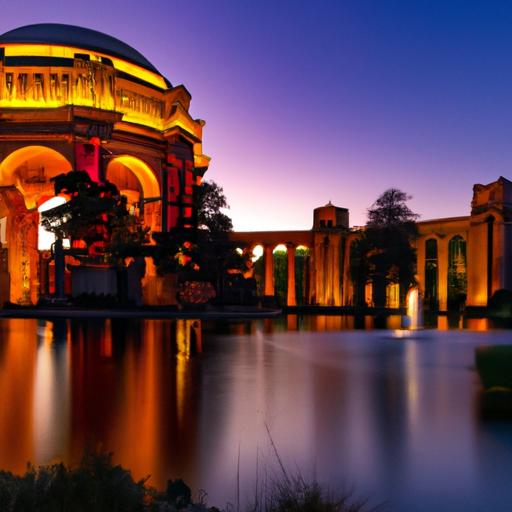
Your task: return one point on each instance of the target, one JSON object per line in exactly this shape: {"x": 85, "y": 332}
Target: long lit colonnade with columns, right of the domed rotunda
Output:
{"x": 459, "y": 260}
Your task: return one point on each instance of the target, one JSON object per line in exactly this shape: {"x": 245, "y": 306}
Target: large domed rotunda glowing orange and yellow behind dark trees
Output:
{"x": 74, "y": 98}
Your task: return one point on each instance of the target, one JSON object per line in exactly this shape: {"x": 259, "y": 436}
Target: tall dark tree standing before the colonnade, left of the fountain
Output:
{"x": 384, "y": 253}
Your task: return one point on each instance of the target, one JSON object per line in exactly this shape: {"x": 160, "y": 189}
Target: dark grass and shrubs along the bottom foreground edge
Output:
{"x": 97, "y": 485}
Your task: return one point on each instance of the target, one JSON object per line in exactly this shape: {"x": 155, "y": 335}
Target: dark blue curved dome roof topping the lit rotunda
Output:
{"x": 70, "y": 35}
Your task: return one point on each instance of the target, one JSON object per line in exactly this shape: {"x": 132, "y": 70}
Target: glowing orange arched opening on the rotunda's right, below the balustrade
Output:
{"x": 137, "y": 181}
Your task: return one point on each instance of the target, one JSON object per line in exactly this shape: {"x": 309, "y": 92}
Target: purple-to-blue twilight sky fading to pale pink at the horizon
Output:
{"x": 307, "y": 102}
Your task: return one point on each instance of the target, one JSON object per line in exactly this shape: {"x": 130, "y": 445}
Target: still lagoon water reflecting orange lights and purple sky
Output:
{"x": 396, "y": 417}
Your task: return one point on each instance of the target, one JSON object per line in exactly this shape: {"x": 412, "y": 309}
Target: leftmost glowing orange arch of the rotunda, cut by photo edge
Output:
{"x": 30, "y": 168}
